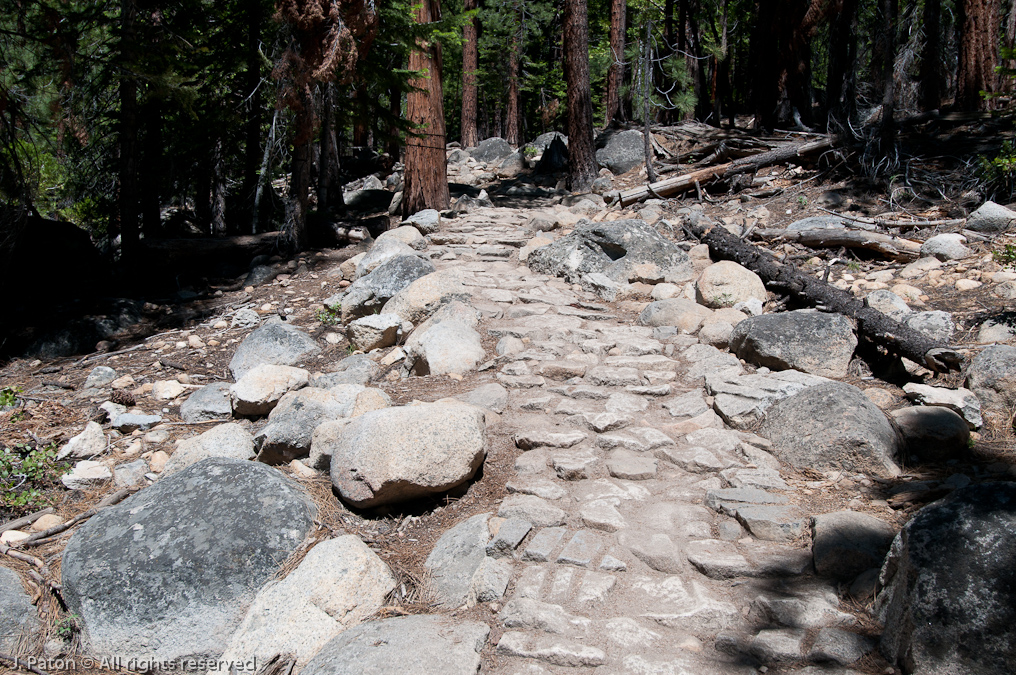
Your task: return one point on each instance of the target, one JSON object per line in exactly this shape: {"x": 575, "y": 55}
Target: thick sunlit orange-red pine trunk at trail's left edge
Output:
{"x": 426, "y": 168}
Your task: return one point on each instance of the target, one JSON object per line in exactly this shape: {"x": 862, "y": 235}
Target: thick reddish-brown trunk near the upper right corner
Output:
{"x": 978, "y": 53}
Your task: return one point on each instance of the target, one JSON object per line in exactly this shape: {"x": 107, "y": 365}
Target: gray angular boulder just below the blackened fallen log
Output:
{"x": 811, "y": 342}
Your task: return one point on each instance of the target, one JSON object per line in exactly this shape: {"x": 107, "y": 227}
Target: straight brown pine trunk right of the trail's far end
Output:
{"x": 582, "y": 161}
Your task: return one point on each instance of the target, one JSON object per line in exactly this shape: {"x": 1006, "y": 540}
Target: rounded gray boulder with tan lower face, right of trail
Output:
{"x": 833, "y": 427}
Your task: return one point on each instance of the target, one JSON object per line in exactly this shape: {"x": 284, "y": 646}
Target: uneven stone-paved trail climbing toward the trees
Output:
{"x": 629, "y": 553}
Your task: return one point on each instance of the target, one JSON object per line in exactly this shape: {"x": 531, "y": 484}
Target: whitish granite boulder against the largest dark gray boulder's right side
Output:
{"x": 340, "y": 584}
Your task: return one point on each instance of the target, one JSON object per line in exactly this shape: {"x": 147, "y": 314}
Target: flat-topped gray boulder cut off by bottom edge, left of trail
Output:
{"x": 422, "y": 645}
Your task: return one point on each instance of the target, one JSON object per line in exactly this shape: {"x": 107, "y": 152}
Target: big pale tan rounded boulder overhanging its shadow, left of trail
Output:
{"x": 400, "y": 454}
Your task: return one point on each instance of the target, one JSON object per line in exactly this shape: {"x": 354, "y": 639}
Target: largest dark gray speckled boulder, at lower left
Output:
{"x": 170, "y": 573}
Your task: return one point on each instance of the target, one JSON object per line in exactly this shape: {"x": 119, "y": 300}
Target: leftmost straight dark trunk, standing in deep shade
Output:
{"x": 128, "y": 198}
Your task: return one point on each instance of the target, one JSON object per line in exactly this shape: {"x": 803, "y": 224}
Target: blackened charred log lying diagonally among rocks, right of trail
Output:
{"x": 873, "y": 325}
